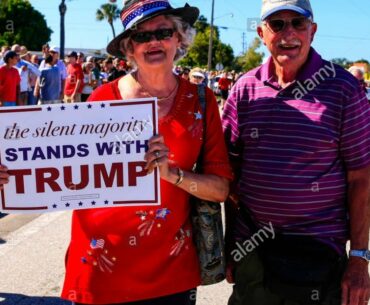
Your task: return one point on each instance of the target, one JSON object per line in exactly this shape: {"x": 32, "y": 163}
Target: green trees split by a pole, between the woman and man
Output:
{"x": 198, "y": 52}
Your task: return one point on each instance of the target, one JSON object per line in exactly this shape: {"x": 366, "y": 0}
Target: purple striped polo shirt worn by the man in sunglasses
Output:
{"x": 295, "y": 145}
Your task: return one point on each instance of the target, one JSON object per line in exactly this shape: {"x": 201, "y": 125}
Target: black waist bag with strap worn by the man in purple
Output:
{"x": 298, "y": 268}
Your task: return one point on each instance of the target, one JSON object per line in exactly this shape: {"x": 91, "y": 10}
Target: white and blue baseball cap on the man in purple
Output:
{"x": 270, "y": 7}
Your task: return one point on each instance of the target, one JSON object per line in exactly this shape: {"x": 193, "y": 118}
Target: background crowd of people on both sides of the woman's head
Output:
{"x": 49, "y": 79}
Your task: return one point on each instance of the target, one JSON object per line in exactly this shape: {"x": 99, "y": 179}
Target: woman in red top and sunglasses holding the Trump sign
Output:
{"x": 145, "y": 255}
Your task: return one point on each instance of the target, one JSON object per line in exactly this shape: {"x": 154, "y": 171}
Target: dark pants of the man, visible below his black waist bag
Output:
{"x": 249, "y": 288}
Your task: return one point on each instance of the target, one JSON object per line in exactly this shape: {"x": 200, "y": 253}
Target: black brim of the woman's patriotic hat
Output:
{"x": 187, "y": 13}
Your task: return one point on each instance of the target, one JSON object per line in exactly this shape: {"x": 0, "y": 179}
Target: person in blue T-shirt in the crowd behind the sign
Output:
{"x": 48, "y": 83}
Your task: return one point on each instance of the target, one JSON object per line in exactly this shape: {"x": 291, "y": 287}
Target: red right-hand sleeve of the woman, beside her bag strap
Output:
{"x": 215, "y": 159}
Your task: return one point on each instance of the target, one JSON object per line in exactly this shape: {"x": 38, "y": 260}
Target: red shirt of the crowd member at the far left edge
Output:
{"x": 9, "y": 80}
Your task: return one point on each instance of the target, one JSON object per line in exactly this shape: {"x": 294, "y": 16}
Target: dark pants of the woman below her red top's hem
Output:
{"x": 182, "y": 298}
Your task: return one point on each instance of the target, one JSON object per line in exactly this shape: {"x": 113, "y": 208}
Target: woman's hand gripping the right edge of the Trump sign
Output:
{"x": 157, "y": 156}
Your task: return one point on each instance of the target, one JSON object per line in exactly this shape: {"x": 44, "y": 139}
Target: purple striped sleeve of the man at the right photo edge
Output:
{"x": 355, "y": 130}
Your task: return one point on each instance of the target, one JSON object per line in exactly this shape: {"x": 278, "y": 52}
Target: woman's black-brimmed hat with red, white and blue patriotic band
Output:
{"x": 138, "y": 11}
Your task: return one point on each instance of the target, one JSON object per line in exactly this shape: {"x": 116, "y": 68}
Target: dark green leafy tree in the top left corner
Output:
{"x": 20, "y": 23}
